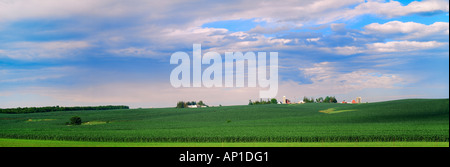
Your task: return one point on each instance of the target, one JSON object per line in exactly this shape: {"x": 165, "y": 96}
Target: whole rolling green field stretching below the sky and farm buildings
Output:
{"x": 411, "y": 122}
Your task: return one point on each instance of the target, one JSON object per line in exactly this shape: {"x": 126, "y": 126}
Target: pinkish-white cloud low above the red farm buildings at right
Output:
{"x": 327, "y": 78}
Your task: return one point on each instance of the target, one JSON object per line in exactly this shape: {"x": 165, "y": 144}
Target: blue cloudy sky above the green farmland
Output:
{"x": 112, "y": 52}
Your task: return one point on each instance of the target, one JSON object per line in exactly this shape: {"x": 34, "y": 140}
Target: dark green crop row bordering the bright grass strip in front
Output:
{"x": 387, "y": 138}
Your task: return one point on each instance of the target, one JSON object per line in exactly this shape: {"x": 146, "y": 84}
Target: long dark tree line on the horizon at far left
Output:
{"x": 58, "y": 108}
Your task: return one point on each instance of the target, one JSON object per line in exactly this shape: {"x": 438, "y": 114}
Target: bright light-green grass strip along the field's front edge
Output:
{"x": 52, "y": 143}
